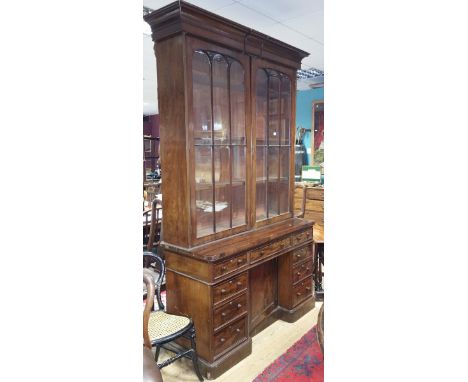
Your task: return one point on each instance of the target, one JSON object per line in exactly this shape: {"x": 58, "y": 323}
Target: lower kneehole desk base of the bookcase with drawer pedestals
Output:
{"x": 231, "y": 299}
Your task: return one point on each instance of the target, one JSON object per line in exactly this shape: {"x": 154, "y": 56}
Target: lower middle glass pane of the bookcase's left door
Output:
{"x": 223, "y": 188}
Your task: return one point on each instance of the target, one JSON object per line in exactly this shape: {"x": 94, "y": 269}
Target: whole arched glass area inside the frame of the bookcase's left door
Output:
{"x": 220, "y": 164}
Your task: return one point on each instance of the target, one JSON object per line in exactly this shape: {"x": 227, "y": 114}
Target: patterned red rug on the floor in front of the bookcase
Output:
{"x": 302, "y": 362}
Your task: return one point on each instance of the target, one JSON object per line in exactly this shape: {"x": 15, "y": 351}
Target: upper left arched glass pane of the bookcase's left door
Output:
{"x": 201, "y": 98}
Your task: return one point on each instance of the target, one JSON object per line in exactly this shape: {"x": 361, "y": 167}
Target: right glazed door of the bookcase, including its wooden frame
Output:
{"x": 273, "y": 136}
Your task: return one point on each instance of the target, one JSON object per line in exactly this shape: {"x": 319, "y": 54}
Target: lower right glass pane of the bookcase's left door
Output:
{"x": 238, "y": 186}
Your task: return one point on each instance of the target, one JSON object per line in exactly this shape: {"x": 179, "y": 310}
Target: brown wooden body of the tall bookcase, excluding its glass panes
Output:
{"x": 232, "y": 282}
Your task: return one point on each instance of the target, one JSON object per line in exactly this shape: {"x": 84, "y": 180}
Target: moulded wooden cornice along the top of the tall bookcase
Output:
{"x": 182, "y": 17}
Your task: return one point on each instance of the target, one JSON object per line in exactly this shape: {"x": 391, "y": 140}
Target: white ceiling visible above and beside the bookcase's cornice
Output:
{"x": 298, "y": 23}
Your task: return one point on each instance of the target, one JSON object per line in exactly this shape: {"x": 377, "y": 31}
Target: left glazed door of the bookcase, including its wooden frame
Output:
{"x": 218, "y": 89}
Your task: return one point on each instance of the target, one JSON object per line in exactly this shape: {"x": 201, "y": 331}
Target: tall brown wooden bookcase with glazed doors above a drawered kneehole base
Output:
{"x": 236, "y": 257}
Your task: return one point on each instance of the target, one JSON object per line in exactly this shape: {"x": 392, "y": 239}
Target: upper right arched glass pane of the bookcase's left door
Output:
{"x": 237, "y": 103}
